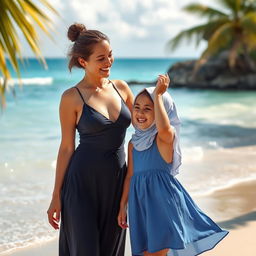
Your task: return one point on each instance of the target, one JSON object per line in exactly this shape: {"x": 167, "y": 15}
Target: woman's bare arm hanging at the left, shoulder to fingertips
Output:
{"x": 67, "y": 146}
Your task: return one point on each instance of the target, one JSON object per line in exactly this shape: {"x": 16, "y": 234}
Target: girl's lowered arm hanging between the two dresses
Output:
{"x": 122, "y": 222}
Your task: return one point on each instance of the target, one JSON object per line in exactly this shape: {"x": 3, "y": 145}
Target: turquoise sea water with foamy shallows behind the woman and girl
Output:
{"x": 218, "y": 132}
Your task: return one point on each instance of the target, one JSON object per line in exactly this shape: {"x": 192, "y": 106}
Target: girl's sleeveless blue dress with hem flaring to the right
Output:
{"x": 161, "y": 212}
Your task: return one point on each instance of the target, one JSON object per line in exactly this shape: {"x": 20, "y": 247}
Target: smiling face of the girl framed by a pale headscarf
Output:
{"x": 143, "y": 112}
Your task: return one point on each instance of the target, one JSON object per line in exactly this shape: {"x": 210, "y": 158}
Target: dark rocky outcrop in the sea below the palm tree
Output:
{"x": 214, "y": 74}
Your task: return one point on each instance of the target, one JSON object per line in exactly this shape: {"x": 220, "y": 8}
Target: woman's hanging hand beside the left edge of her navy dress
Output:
{"x": 54, "y": 212}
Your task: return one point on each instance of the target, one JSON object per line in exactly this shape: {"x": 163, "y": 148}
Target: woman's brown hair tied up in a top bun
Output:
{"x": 84, "y": 41}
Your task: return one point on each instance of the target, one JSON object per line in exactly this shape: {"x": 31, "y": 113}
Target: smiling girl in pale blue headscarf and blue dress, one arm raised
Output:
{"x": 162, "y": 216}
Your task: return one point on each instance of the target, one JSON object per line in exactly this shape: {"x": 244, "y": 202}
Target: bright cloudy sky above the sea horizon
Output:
{"x": 136, "y": 28}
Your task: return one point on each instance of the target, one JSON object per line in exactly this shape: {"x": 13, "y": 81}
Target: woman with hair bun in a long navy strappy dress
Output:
{"x": 89, "y": 179}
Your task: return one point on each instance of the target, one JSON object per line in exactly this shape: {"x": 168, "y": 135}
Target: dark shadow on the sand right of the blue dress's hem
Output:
{"x": 238, "y": 221}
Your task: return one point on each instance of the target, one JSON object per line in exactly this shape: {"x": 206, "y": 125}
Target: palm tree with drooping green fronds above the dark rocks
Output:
{"x": 231, "y": 28}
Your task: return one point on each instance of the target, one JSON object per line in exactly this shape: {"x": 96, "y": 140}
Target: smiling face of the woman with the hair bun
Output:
{"x": 100, "y": 61}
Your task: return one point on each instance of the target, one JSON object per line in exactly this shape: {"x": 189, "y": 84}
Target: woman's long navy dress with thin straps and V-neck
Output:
{"x": 92, "y": 186}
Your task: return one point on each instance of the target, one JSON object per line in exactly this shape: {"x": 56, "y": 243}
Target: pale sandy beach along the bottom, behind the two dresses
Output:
{"x": 234, "y": 209}
